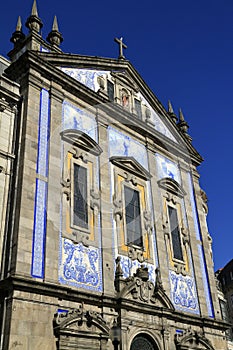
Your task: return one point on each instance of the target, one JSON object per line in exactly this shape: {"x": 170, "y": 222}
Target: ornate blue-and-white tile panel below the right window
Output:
{"x": 183, "y": 293}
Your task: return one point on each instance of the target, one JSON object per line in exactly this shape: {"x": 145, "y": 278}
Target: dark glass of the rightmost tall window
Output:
{"x": 175, "y": 233}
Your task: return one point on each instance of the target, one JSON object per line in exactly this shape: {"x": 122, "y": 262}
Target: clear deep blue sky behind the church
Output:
{"x": 183, "y": 50}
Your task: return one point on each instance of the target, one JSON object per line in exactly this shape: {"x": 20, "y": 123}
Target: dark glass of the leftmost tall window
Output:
{"x": 80, "y": 197}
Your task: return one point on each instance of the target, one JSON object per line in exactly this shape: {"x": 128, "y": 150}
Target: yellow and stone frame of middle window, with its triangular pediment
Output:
{"x": 127, "y": 171}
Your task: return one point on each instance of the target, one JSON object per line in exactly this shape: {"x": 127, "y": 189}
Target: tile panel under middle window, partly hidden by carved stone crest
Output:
{"x": 129, "y": 267}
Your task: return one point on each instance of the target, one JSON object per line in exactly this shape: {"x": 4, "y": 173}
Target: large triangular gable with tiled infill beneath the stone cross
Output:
{"x": 93, "y": 73}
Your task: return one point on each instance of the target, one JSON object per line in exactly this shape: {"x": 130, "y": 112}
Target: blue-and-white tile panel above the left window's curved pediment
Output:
{"x": 79, "y": 119}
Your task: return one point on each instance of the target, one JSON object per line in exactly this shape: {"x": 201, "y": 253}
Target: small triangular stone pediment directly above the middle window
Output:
{"x": 130, "y": 165}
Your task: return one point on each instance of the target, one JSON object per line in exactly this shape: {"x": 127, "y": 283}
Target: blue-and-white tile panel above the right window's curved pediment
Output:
{"x": 167, "y": 168}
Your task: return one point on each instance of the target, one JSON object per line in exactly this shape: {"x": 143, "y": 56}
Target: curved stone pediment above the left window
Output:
{"x": 81, "y": 140}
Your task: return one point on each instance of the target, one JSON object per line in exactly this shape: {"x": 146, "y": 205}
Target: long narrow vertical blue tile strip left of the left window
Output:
{"x": 39, "y": 231}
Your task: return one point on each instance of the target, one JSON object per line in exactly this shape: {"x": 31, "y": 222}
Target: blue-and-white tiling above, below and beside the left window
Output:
{"x": 80, "y": 266}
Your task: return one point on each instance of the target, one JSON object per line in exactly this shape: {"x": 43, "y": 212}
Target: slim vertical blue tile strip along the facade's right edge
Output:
{"x": 200, "y": 248}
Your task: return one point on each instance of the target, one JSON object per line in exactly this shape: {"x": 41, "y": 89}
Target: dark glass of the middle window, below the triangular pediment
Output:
{"x": 132, "y": 217}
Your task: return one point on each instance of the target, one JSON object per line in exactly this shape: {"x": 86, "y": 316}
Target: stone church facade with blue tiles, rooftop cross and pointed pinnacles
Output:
{"x": 104, "y": 242}
